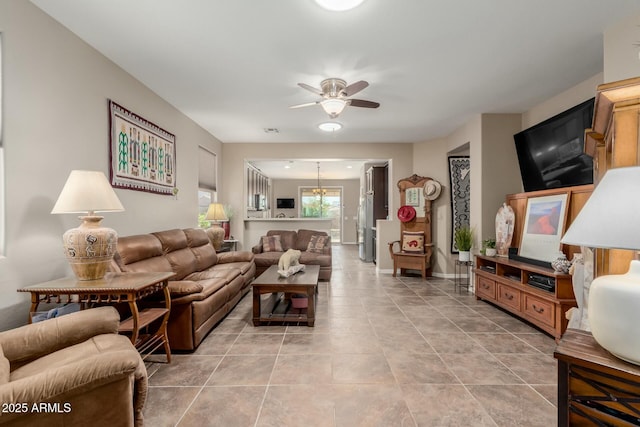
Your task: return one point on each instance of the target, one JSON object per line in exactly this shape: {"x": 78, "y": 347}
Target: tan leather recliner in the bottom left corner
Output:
{"x": 74, "y": 370}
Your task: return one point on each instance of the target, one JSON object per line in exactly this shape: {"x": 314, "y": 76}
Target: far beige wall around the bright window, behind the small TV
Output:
{"x": 350, "y": 200}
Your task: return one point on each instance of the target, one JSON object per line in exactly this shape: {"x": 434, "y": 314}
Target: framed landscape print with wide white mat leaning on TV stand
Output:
{"x": 543, "y": 227}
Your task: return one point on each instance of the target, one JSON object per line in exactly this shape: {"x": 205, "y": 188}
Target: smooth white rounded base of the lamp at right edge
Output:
{"x": 614, "y": 313}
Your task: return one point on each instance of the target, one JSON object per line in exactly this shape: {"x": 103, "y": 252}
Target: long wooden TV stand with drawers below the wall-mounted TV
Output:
{"x": 504, "y": 282}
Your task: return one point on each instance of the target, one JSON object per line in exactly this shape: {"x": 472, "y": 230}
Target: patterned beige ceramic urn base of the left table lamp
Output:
{"x": 90, "y": 248}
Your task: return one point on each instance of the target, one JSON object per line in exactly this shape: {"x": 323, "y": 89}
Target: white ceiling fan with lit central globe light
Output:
{"x": 335, "y": 93}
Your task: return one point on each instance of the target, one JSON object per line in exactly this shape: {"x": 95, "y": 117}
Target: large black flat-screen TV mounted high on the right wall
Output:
{"x": 551, "y": 154}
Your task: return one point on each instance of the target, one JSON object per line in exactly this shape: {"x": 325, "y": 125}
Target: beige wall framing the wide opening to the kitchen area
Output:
{"x": 399, "y": 156}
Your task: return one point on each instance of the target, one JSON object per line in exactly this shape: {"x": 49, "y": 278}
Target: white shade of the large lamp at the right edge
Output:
{"x": 609, "y": 219}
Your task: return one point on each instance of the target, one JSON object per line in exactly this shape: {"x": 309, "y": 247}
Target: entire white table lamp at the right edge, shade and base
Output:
{"x": 610, "y": 220}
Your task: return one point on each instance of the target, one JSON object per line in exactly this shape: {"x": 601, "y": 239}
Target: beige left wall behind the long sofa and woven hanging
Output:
{"x": 56, "y": 119}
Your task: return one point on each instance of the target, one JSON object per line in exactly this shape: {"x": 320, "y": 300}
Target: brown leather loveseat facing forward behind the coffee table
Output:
{"x": 315, "y": 247}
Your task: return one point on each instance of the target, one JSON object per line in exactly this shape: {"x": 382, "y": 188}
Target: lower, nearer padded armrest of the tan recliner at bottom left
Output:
{"x": 56, "y": 385}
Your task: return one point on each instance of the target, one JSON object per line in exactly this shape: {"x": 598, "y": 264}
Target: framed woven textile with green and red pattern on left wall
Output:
{"x": 142, "y": 154}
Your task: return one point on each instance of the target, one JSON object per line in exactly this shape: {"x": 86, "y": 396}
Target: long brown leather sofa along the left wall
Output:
{"x": 206, "y": 286}
